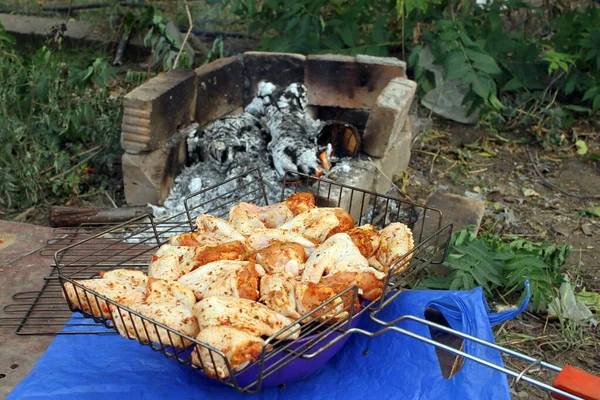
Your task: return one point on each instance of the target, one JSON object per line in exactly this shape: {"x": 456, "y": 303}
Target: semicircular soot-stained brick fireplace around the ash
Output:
{"x": 371, "y": 93}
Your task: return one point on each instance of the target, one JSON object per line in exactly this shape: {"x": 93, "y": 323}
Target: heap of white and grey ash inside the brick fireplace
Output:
{"x": 275, "y": 133}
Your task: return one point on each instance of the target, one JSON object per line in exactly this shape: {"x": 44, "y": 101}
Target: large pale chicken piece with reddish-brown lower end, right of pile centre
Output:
{"x": 338, "y": 263}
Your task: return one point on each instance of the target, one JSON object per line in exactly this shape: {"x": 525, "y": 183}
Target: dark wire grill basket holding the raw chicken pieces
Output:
{"x": 280, "y": 360}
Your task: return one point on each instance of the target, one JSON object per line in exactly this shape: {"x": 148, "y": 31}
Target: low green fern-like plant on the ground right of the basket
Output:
{"x": 489, "y": 262}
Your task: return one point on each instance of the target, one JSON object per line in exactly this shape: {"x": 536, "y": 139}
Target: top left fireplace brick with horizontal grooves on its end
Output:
{"x": 154, "y": 111}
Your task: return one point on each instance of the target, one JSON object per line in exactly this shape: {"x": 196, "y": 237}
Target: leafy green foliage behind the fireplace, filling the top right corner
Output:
{"x": 537, "y": 66}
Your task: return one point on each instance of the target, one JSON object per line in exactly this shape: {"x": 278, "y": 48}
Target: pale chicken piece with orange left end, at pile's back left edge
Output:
{"x": 211, "y": 231}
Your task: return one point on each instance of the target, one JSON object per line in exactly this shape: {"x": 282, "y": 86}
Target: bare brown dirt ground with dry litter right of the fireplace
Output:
{"x": 467, "y": 161}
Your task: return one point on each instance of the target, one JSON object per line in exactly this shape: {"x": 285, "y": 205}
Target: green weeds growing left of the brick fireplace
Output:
{"x": 59, "y": 127}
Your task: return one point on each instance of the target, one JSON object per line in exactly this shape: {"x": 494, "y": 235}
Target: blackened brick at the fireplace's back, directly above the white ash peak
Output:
{"x": 281, "y": 69}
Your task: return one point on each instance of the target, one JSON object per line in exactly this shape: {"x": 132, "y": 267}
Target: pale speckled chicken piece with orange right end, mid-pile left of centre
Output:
{"x": 225, "y": 278}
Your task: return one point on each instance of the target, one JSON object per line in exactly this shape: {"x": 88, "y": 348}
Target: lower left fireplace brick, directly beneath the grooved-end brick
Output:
{"x": 149, "y": 177}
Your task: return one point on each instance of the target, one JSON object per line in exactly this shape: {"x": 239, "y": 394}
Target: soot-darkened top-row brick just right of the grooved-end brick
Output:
{"x": 220, "y": 89}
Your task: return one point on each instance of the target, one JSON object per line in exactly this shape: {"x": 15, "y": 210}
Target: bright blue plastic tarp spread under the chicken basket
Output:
{"x": 396, "y": 367}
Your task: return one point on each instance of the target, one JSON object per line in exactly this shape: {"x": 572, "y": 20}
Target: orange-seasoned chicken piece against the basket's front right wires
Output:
{"x": 293, "y": 299}
